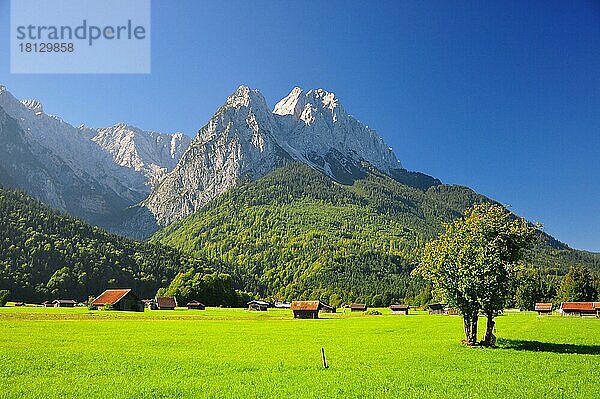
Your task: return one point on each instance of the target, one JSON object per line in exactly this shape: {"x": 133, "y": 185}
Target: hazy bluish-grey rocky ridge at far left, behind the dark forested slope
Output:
{"x": 87, "y": 172}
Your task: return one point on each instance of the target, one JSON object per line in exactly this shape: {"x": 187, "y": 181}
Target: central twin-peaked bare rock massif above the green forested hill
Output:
{"x": 245, "y": 140}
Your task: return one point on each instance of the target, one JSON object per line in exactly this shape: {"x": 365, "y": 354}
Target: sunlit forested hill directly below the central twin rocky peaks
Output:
{"x": 297, "y": 234}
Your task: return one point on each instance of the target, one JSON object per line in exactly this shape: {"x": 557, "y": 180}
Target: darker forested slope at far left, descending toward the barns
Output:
{"x": 46, "y": 255}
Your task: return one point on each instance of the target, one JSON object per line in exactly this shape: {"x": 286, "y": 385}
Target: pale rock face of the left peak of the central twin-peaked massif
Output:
{"x": 236, "y": 144}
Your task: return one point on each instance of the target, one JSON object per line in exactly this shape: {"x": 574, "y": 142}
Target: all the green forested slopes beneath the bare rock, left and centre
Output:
{"x": 293, "y": 234}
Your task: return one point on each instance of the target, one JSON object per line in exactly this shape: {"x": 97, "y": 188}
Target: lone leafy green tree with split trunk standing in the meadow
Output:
{"x": 471, "y": 262}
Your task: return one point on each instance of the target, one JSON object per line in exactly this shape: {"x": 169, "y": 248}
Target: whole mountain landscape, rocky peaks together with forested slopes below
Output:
{"x": 298, "y": 201}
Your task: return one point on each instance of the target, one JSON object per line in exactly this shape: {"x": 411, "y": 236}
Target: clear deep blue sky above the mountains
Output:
{"x": 502, "y": 97}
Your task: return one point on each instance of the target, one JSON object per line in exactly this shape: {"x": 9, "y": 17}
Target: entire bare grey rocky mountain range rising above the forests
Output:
{"x": 133, "y": 182}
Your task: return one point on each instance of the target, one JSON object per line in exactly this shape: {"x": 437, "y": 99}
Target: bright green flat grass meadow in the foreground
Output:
{"x": 232, "y": 353}
